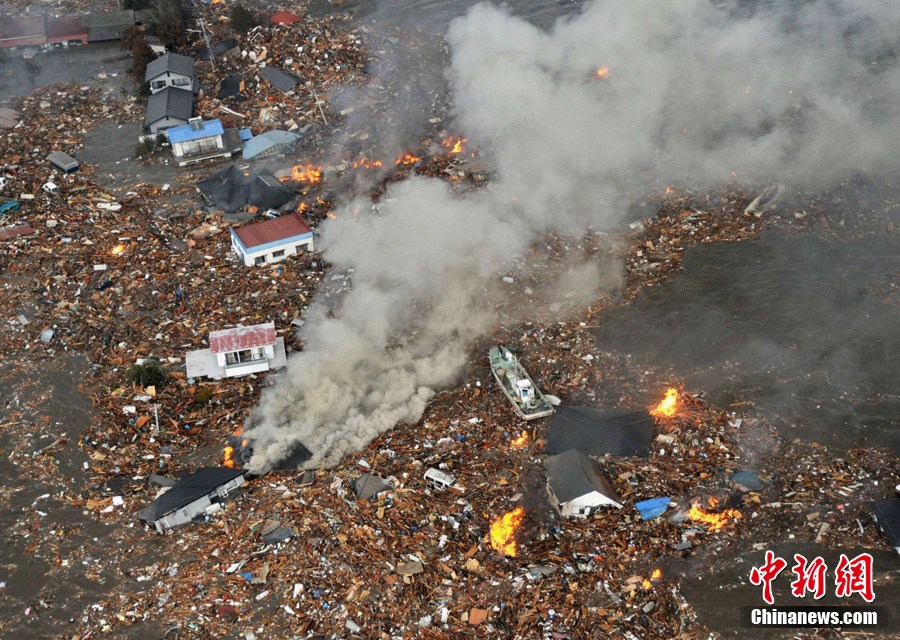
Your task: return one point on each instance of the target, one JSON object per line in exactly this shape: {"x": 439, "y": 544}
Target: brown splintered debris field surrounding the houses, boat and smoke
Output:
{"x": 148, "y": 271}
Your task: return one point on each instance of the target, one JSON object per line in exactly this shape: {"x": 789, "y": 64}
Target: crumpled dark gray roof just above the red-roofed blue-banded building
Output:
{"x": 231, "y": 190}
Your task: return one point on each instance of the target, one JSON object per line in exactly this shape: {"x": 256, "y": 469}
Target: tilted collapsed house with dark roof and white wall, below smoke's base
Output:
{"x": 199, "y": 493}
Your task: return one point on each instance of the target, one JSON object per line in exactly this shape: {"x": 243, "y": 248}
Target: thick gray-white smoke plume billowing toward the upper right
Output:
{"x": 801, "y": 94}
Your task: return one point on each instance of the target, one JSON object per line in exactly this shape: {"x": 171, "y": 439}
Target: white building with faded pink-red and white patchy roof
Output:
{"x": 238, "y": 352}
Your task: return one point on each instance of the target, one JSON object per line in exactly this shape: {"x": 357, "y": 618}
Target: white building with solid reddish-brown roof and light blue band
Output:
{"x": 272, "y": 240}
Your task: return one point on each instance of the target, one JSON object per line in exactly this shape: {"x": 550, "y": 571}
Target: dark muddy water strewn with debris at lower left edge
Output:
{"x": 54, "y": 559}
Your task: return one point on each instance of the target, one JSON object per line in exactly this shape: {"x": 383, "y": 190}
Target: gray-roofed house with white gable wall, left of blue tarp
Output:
{"x": 577, "y": 486}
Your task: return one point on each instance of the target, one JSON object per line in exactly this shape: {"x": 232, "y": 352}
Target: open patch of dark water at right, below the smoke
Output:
{"x": 808, "y": 330}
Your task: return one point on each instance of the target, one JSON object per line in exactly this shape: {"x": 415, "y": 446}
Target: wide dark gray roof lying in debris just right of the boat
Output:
{"x": 596, "y": 432}
